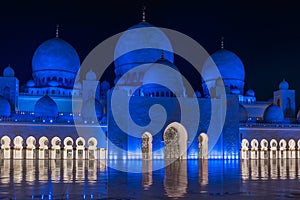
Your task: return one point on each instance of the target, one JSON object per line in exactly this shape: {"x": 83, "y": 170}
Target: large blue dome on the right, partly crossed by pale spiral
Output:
{"x": 231, "y": 69}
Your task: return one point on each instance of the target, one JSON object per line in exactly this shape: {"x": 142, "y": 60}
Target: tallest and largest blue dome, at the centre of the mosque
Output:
{"x": 138, "y": 46}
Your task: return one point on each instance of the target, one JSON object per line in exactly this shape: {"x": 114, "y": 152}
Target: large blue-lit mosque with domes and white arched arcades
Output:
{"x": 38, "y": 120}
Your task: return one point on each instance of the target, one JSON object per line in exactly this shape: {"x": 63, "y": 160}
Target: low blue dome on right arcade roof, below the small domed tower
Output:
{"x": 273, "y": 114}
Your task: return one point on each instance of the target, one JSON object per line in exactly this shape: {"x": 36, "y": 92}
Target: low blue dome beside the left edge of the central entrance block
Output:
{"x": 89, "y": 108}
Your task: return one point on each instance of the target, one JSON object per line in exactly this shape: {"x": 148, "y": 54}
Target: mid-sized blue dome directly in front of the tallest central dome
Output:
{"x": 160, "y": 72}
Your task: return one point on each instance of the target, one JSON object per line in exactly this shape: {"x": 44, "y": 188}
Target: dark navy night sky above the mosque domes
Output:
{"x": 266, "y": 35}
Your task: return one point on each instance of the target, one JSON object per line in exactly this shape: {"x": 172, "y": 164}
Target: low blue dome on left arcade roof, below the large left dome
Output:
{"x": 45, "y": 107}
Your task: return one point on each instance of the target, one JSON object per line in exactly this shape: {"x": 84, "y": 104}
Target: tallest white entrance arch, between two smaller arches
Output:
{"x": 175, "y": 141}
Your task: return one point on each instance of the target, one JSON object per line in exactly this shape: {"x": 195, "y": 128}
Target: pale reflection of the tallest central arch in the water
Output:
{"x": 175, "y": 181}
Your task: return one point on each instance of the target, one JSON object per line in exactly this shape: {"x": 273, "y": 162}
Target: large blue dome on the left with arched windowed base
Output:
{"x": 55, "y": 59}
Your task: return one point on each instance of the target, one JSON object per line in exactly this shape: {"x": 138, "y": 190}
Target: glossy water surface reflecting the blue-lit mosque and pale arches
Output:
{"x": 88, "y": 179}
